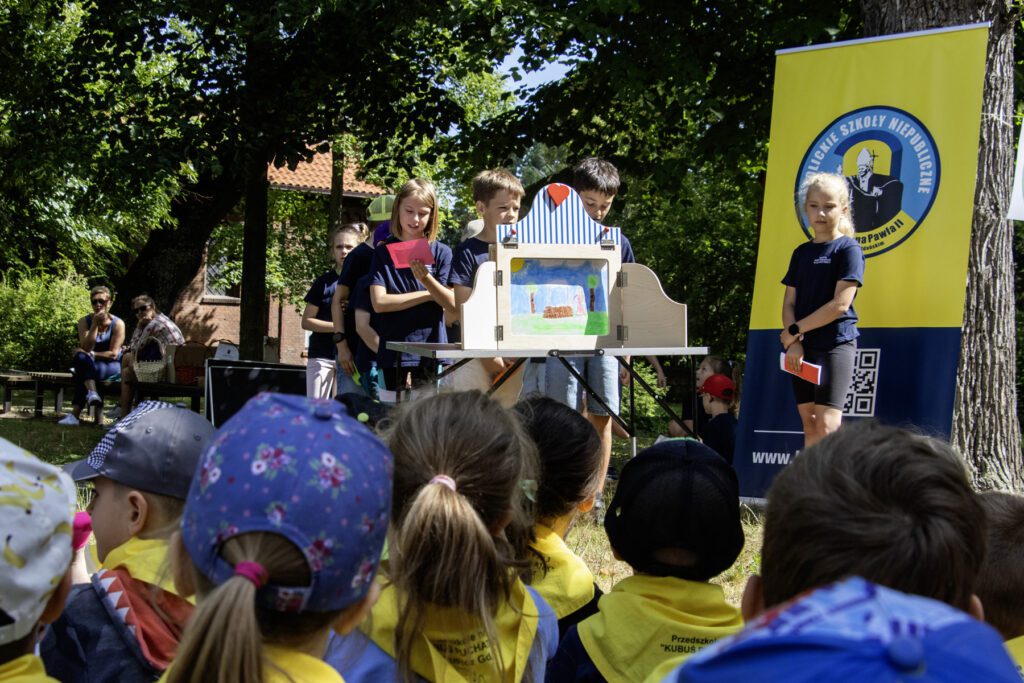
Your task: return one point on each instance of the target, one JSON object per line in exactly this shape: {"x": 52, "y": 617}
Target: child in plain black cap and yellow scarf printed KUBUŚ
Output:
{"x": 675, "y": 520}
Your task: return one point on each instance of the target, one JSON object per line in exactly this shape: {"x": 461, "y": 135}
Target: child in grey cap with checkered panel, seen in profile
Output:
{"x": 125, "y": 624}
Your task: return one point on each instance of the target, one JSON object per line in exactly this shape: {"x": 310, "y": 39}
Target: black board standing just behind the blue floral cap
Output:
{"x": 231, "y": 383}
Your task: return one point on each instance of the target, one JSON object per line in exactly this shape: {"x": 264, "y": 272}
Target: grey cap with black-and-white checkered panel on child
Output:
{"x": 156, "y": 448}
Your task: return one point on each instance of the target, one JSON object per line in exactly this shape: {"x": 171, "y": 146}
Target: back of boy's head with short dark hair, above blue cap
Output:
{"x": 877, "y": 502}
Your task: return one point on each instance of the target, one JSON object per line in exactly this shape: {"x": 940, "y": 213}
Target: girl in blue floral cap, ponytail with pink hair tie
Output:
{"x": 281, "y": 537}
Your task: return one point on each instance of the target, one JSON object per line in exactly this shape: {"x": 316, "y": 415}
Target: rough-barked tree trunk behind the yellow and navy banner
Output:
{"x": 986, "y": 425}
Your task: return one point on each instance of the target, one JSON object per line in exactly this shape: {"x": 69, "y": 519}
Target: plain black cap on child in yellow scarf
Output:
{"x": 676, "y": 513}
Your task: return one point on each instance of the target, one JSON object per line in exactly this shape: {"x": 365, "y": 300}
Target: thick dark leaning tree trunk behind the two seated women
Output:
{"x": 170, "y": 259}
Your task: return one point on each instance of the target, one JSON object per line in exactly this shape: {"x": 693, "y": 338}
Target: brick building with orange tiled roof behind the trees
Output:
{"x": 207, "y": 316}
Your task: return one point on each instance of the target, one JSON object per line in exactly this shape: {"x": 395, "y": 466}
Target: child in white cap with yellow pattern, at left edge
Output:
{"x": 36, "y": 505}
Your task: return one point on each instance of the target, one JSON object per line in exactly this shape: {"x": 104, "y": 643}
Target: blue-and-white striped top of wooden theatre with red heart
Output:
{"x": 567, "y": 224}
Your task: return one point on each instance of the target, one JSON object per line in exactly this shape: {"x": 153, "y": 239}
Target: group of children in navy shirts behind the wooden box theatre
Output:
{"x": 366, "y": 302}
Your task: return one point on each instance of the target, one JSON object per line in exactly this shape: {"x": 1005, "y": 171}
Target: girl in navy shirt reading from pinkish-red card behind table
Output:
{"x": 412, "y": 300}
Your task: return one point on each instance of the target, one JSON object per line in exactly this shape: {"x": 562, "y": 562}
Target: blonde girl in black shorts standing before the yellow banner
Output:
{"x": 820, "y": 324}
